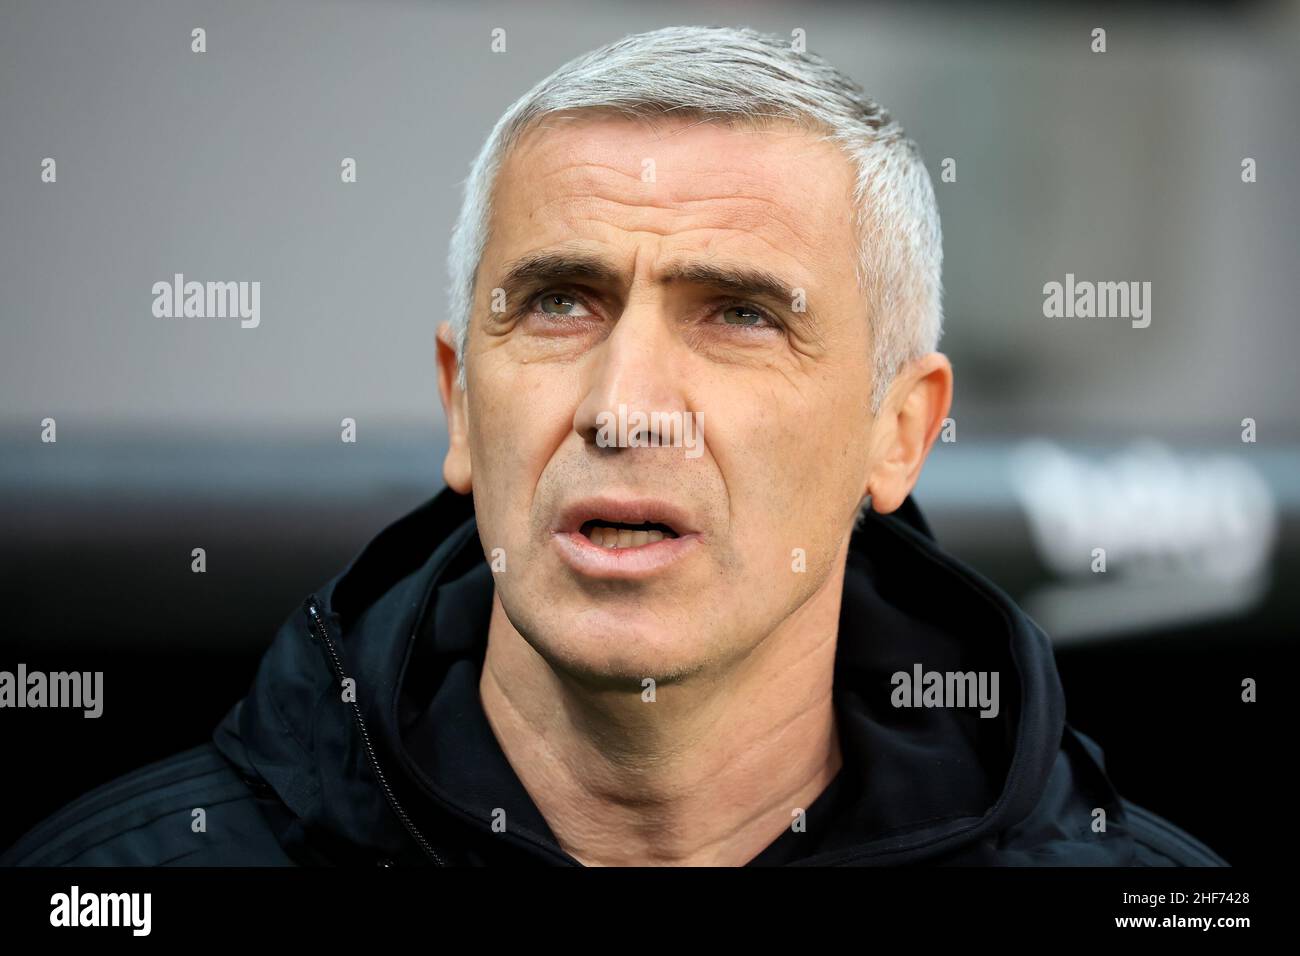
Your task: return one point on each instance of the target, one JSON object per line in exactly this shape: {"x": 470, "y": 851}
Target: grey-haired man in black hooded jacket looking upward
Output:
{"x": 675, "y": 605}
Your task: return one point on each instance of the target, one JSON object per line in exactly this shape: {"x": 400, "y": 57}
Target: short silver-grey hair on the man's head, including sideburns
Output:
{"x": 742, "y": 76}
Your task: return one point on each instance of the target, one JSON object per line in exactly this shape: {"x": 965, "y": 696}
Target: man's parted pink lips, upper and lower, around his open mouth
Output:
{"x": 591, "y": 560}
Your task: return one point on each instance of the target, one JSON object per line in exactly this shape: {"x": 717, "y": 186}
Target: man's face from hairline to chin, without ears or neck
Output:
{"x": 634, "y": 236}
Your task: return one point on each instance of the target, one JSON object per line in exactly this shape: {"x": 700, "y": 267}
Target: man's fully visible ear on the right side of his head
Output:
{"x": 907, "y": 427}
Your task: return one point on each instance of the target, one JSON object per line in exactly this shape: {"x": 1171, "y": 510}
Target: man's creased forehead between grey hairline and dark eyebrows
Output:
{"x": 774, "y": 193}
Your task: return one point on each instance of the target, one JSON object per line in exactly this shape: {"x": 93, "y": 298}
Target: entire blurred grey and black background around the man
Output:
{"x": 224, "y": 166}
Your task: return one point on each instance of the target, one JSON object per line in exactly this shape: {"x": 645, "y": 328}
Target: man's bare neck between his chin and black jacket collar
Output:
{"x": 709, "y": 775}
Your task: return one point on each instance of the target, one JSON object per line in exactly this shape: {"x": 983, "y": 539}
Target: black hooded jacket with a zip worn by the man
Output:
{"x": 411, "y": 775}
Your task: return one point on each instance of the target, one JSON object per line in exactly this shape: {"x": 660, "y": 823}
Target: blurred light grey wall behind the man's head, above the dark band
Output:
{"x": 226, "y": 166}
